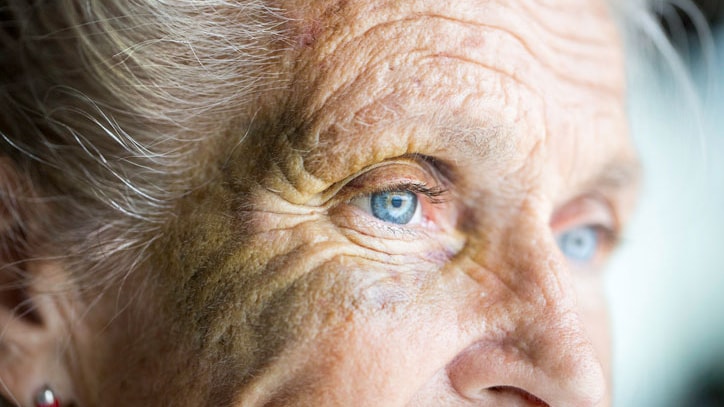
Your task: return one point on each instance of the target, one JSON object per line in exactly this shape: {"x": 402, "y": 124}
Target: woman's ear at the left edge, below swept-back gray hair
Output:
{"x": 32, "y": 328}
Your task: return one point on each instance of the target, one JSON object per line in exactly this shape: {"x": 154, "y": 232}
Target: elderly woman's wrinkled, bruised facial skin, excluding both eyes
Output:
{"x": 273, "y": 289}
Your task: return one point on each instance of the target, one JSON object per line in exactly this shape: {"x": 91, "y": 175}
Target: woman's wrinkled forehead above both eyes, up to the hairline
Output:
{"x": 500, "y": 82}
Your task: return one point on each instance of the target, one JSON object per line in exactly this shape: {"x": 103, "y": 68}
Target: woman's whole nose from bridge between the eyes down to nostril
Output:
{"x": 531, "y": 346}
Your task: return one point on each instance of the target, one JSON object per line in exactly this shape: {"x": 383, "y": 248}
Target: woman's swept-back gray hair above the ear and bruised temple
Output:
{"x": 106, "y": 107}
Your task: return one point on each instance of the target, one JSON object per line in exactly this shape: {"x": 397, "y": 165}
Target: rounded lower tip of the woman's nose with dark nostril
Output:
{"x": 550, "y": 365}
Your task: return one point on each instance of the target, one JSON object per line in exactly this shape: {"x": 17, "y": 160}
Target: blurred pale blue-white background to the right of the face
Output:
{"x": 666, "y": 284}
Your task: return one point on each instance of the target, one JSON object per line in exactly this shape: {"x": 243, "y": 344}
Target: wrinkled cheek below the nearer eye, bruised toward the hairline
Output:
{"x": 345, "y": 320}
